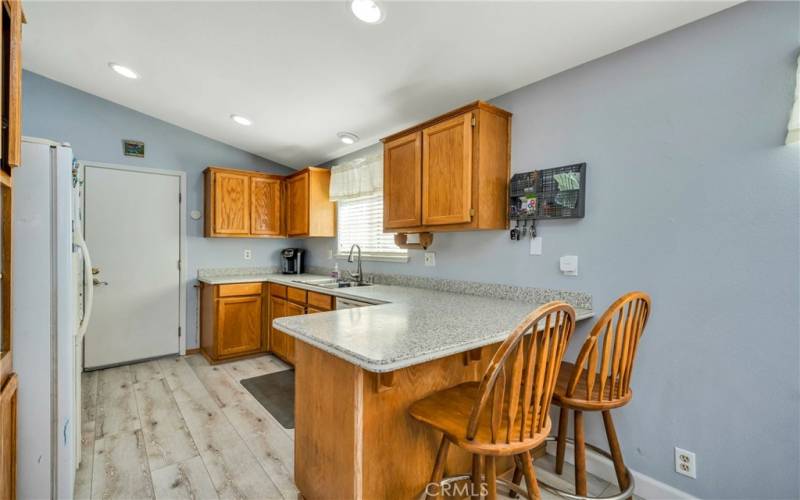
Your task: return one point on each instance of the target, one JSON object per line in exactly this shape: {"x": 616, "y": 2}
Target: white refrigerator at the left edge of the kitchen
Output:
{"x": 49, "y": 314}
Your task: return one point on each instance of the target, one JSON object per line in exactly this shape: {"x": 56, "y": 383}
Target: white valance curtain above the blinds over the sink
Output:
{"x": 357, "y": 178}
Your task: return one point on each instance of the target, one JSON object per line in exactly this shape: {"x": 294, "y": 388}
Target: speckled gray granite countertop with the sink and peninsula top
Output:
{"x": 406, "y": 326}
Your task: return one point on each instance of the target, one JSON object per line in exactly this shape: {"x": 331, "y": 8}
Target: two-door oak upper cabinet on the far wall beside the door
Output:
{"x": 242, "y": 204}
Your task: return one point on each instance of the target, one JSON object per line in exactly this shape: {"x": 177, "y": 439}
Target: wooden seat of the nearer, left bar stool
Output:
{"x": 449, "y": 410}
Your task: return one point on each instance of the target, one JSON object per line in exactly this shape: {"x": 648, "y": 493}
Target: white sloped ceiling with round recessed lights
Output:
{"x": 302, "y": 71}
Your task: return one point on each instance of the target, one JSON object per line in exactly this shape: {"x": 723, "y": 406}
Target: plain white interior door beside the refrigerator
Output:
{"x": 132, "y": 227}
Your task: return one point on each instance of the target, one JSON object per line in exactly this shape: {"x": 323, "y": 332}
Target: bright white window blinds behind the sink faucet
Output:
{"x": 360, "y": 221}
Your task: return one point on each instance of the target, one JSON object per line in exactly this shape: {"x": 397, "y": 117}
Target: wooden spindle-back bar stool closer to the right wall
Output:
{"x": 612, "y": 344}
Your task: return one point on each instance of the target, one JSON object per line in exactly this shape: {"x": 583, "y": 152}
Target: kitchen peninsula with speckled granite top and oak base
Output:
{"x": 358, "y": 370}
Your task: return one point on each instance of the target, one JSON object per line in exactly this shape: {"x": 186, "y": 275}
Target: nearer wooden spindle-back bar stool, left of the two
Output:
{"x": 507, "y": 413}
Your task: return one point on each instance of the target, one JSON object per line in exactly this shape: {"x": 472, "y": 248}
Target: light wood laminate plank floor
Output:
{"x": 179, "y": 428}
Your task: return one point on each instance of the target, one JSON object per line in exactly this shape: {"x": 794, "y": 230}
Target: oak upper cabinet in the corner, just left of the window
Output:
{"x": 309, "y": 210}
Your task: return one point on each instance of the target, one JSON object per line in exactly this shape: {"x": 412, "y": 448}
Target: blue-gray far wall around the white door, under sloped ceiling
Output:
{"x": 96, "y": 127}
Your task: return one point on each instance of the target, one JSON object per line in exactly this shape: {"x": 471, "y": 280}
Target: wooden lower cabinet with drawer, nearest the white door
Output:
{"x": 232, "y": 321}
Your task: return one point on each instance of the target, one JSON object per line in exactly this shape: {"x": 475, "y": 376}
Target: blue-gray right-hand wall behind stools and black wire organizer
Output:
{"x": 692, "y": 197}
